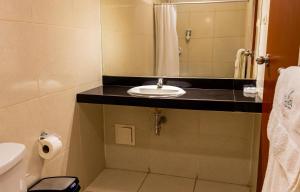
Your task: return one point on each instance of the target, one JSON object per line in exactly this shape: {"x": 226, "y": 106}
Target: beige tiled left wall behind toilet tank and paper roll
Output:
{"x": 49, "y": 51}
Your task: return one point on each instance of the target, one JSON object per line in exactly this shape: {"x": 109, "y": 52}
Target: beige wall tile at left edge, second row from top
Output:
{"x": 18, "y": 72}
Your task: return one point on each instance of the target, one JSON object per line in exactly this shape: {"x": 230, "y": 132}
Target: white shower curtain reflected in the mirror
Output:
{"x": 167, "y": 54}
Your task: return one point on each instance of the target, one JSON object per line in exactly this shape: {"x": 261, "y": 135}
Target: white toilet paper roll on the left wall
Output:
{"x": 49, "y": 147}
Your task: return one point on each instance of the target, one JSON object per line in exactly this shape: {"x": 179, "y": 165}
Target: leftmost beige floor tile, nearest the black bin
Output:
{"x": 112, "y": 180}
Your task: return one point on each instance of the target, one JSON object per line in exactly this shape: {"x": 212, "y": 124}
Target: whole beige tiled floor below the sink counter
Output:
{"x": 114, "y": 180}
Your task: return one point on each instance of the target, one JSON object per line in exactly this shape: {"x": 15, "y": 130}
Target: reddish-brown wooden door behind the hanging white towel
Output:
{"x": 283, "y": 46}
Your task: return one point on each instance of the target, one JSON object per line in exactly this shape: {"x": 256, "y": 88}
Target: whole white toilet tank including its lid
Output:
{"x": 12, "y": 169}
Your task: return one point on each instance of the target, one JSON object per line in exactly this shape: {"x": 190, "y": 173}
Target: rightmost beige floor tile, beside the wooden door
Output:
{"x": 205, "y": 186}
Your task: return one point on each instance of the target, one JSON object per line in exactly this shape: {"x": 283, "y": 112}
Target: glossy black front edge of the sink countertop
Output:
{"x": 192, "y": 104}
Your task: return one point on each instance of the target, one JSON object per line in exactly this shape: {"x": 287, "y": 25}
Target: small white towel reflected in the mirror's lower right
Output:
{"x": 240, "y": 65}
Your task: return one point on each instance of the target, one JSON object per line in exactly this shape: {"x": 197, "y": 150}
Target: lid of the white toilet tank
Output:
{"x": 10, "y": 155}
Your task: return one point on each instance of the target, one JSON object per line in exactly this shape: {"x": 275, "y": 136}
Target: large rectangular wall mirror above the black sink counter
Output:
{"x": 178, "y": 38}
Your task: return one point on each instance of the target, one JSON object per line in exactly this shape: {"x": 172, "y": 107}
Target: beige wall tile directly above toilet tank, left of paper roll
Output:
{"x": 21, "y": 123}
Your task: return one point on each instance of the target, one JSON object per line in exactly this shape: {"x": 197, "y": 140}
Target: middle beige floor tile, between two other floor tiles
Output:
{"x": 163, "y": 183}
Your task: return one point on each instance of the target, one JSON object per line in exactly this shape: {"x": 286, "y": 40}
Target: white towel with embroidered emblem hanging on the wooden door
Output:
{"x": 283, "y": 171}
